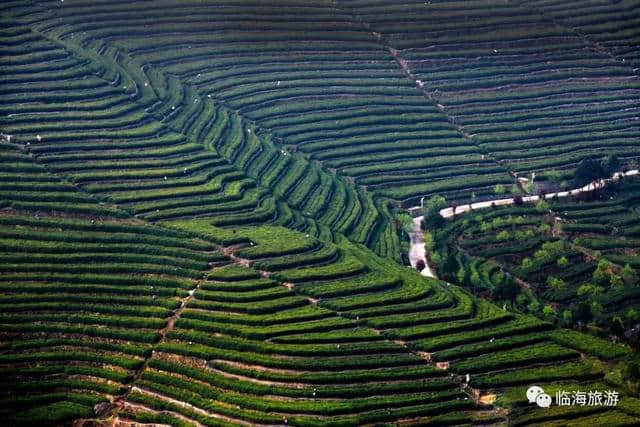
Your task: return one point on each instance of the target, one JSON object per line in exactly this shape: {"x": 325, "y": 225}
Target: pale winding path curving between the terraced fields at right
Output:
{"x": 417, "y": 250}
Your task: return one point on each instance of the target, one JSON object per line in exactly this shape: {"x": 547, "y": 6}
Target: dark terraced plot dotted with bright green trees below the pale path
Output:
{"x": 569, "y": 253}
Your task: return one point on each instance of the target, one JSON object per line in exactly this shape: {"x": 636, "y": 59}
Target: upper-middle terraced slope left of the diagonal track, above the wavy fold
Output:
{"x": 314, "y": 80}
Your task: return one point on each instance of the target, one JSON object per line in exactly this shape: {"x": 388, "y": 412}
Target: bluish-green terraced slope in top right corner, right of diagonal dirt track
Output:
{"x": 537, "y": 84}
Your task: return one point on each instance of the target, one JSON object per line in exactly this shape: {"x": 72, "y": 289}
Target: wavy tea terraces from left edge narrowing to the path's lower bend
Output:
{"x": 161, "y": 151}
